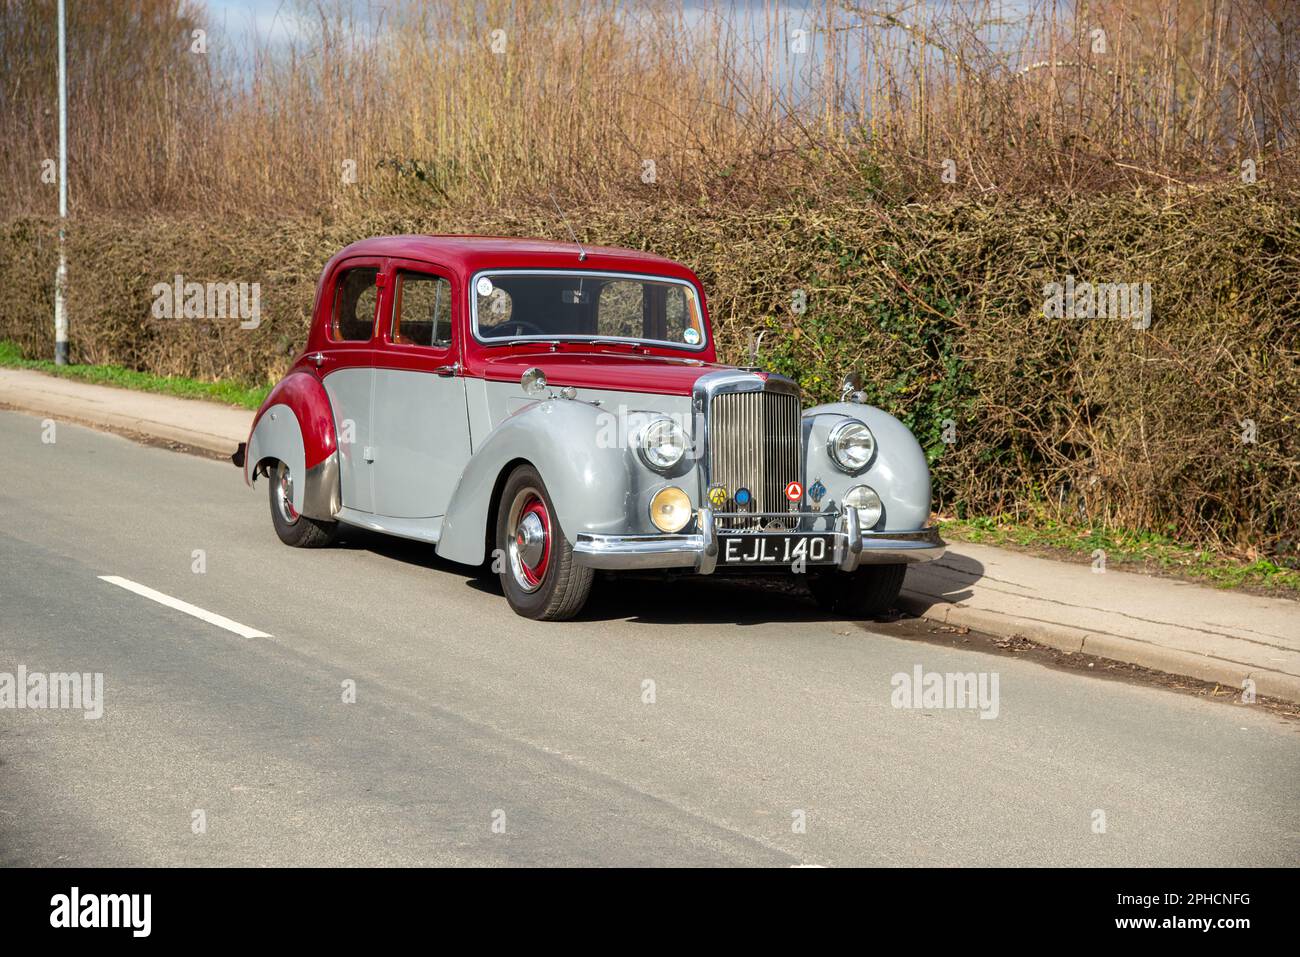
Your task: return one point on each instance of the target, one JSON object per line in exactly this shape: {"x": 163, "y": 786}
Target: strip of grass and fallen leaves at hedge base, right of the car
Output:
{"x": 1141, "y": 551}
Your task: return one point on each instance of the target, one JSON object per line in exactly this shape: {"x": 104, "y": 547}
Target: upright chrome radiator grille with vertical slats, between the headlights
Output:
{"x": 756, "y": 443}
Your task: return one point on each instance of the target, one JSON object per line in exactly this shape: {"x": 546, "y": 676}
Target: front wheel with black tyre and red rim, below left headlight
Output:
{"x": 534, "y": 558}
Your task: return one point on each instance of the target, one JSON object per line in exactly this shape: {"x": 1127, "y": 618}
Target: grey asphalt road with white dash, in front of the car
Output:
{"x": 469, "y": 717}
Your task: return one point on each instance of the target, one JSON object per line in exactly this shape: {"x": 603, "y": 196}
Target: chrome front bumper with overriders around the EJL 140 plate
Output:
{"x": 700, "y": 551}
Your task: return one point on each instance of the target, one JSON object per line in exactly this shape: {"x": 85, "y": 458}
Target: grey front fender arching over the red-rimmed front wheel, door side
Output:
{"x": 597, "y": 487}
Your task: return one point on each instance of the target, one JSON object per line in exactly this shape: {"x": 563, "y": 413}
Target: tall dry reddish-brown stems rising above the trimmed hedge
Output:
{"x": 727, "y": 101}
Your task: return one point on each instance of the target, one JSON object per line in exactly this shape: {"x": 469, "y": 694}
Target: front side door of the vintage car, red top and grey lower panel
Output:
{"x": 421, "y": 422}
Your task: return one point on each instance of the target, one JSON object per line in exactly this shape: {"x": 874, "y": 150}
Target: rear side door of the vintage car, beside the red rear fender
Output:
{"x": 348, "y": 373}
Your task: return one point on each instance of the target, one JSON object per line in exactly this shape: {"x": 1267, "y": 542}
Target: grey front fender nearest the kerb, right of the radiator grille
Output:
{"x": 898, "y": 473}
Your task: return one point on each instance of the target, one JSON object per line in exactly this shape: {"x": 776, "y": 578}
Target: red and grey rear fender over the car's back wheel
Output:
{"x": 296, "y": 426}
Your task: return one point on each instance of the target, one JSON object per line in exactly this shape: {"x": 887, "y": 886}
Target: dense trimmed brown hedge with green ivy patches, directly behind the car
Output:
{"x": 1188, "y": 427}
